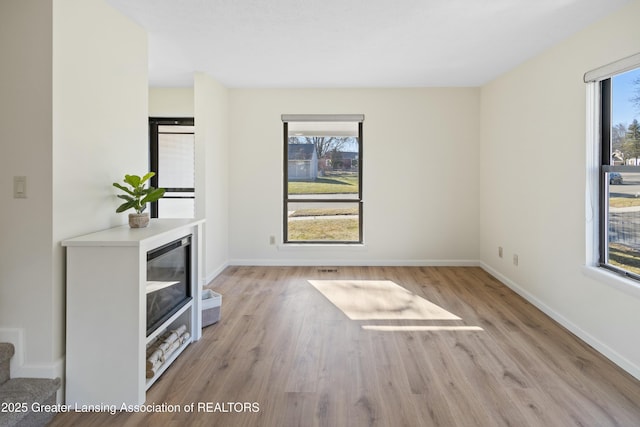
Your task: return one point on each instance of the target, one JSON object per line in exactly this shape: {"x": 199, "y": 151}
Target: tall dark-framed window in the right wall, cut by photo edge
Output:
{"x": 618, "y": 92}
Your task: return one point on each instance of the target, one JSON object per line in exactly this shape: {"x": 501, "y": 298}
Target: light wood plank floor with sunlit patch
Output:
{"x": 284, "y": 345}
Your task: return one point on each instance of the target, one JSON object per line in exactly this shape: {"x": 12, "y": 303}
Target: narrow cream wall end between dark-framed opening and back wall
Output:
{"x": 212, "y": 169}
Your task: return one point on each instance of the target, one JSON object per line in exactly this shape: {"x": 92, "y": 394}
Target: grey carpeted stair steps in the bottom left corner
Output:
{"x": 17, "y": 395}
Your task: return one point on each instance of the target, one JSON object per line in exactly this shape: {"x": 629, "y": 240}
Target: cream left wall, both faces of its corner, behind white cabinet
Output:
{"x": 74, "y": 121}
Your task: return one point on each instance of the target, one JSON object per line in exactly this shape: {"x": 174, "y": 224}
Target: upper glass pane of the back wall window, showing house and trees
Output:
{"x": 323, "y": 159}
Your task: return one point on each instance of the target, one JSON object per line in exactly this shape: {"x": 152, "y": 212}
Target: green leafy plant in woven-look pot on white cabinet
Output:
{"x": 137, "y": 197}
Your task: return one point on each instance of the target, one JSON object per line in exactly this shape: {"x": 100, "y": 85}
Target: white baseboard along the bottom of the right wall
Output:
{"x": 601, "y": 347}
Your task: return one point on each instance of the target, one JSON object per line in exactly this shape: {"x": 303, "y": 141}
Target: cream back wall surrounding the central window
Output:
{"x": 420, "y": 174}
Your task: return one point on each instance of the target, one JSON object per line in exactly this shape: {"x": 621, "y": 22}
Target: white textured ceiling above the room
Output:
{"x": 351, "y": 43}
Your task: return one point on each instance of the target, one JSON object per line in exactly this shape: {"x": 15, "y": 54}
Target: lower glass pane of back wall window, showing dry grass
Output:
{"x": 326, "y": 221}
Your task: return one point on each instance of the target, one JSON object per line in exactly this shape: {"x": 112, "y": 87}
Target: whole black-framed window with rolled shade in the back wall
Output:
{"x": 322, "y": 178}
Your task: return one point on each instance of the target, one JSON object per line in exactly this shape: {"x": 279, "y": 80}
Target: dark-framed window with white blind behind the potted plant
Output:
{"x": 172, "y": 158}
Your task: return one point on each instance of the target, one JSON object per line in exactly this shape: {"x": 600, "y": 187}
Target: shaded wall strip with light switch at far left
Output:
{"x": 26, "y": 291}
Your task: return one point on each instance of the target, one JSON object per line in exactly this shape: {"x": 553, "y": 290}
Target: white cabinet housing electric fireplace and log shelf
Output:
{"x": 106, "y": 336}
